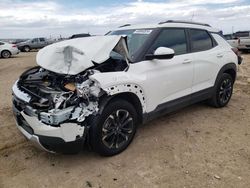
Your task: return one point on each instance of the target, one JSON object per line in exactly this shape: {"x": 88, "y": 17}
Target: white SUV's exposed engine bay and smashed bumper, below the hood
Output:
{"x": 51, "y": 108}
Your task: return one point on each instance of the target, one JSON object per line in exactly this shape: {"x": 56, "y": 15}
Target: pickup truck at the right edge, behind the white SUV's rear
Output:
{"x": 240, "y": 40}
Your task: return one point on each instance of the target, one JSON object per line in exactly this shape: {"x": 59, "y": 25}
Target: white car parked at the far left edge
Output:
{"x": 7, "y": 49}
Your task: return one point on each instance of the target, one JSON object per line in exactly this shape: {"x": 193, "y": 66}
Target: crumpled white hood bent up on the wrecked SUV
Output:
{"x": 76, "y": 55}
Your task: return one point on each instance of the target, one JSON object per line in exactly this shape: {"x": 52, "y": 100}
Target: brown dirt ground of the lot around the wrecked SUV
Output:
{"x": 198, "y": 146}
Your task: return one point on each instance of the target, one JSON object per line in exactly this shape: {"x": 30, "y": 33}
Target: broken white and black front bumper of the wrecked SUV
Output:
{"x": 66, "y": 137}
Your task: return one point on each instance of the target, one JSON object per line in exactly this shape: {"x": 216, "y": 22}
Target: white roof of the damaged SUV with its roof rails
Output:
{"x": 170, "y": 24}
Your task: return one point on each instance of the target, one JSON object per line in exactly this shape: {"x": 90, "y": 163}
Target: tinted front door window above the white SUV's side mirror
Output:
{"x": 171, "y": 38}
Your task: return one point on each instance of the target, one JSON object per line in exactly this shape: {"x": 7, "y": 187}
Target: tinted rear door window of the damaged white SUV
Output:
{"x": 200, "y": 40}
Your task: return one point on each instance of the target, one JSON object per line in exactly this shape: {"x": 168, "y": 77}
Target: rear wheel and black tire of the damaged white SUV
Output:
{"x": 223, "y": 91}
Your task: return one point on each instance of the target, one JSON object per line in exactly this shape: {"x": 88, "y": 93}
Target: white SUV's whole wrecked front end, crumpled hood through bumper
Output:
{"x": 52, "y": 102}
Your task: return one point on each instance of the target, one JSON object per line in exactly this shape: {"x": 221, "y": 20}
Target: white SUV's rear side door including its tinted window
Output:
{"x": 207, "y": 59}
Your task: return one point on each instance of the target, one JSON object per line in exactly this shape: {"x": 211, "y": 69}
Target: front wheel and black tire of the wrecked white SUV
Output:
{"x": 106, "y": 130}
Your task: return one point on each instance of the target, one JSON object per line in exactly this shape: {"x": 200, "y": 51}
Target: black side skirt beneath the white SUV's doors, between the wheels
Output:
{"x": 177, "y": 104}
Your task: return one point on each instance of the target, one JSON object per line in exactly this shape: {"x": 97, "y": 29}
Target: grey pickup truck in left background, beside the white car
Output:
{"x": 35, "y": 43}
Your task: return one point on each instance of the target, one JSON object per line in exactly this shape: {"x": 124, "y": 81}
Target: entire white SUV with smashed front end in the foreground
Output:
{"x": 96, "y": 90}
